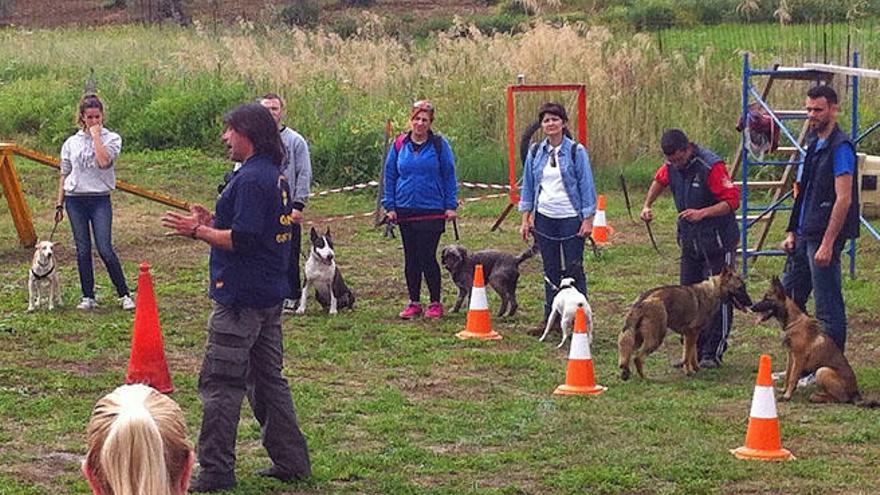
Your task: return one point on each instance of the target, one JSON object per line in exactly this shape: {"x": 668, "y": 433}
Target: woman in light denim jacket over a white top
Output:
{"x": 558, "y": 201}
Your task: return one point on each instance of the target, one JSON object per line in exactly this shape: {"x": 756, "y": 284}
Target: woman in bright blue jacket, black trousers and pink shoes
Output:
{"x": 420, "y": 195}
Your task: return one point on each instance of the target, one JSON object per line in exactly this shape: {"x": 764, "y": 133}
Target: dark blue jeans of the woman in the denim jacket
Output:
{"x": 562, "y": 253}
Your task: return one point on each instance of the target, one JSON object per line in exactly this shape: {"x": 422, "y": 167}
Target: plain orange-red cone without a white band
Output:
{"x": 147, "y": 363}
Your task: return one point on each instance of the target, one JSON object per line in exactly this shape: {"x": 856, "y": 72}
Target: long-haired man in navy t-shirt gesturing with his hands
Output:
{"x": 250, "y": 250}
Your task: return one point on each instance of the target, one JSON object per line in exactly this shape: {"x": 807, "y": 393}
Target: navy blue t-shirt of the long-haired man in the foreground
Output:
{"x": 256, "y": 202}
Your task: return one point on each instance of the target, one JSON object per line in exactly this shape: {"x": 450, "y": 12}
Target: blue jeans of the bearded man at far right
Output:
{"x": 802, "y": 276}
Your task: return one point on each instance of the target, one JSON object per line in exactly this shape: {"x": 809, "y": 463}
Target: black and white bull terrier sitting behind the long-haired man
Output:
{"x": 322, "y": 273}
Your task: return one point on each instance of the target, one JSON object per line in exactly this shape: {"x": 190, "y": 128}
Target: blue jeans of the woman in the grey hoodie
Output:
{"x": 94, "y": 211}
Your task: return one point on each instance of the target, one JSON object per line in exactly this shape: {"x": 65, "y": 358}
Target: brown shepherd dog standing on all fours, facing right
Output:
{"x": 685, "y": 309}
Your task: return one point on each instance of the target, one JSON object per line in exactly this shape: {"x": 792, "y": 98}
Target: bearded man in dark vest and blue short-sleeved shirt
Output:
{"x": 824, "y": 216}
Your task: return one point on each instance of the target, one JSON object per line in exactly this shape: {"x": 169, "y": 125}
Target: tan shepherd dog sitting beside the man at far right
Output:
{"x": 810, "y": 350}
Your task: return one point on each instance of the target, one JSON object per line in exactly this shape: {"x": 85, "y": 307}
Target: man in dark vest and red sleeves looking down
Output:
{"x": 706, "y": 200}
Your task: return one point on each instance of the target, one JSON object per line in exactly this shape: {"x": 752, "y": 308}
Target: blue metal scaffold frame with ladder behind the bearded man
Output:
{"x": 809, "y": 72}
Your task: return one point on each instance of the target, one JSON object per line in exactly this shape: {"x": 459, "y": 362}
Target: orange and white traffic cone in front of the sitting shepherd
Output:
{"x": 763, "y": 442}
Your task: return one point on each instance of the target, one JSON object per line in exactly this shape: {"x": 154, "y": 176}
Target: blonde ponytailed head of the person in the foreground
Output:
{"x": 138, "y": 444}
